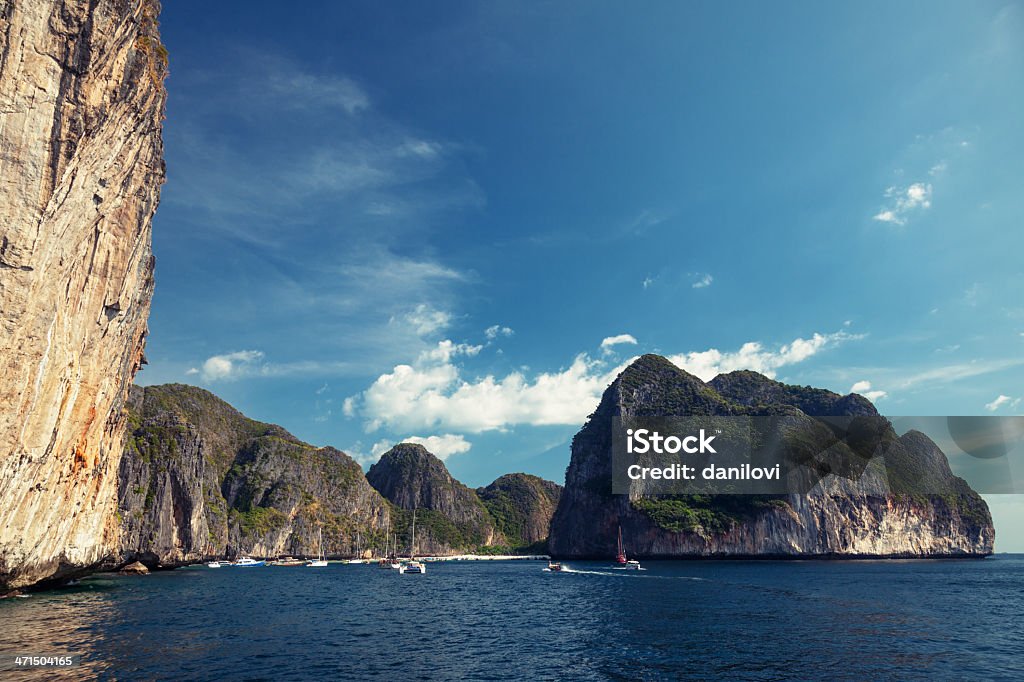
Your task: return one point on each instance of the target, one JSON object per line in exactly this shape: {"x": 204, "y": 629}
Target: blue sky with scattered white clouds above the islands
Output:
{"x": 454, "y": 223}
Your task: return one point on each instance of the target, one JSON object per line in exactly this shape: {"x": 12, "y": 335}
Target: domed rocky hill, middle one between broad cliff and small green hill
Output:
{"x": 450, "y": 517}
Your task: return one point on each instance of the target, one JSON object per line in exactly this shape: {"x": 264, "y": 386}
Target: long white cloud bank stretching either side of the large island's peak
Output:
{"x": 434, "y": 393}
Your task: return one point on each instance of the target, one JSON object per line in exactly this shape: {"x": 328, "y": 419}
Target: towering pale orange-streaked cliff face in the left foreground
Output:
{"x": 81, "y": 103}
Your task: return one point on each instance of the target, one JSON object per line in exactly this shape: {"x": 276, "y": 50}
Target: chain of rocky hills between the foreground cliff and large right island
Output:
{"x": 201, "y": 481}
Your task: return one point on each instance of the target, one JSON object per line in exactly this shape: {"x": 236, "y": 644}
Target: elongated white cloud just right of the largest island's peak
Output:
{"x": 753, "y": 356}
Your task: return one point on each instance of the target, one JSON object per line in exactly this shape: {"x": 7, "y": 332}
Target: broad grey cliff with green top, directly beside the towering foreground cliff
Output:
{"x": 199, "y": 480}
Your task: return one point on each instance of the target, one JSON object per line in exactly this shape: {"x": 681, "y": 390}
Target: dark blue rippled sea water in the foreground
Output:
{"x": 510, "y": 621}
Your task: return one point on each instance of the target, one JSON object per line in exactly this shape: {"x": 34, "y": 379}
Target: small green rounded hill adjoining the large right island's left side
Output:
{"x": 522, "y": 506}
